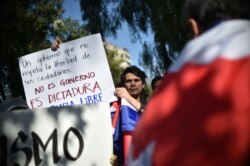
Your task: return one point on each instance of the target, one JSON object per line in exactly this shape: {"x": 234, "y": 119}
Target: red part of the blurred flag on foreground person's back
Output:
{"x": 202, "y": 116}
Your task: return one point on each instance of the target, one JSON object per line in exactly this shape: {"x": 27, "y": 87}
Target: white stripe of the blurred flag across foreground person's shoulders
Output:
{"x": 219, "y": 42}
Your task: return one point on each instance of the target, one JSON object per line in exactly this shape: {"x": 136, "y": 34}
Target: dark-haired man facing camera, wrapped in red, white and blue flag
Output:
{"x": 127, "y": 110}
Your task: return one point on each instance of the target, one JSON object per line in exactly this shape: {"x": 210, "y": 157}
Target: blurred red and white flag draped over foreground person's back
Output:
{"x": 201, "y": 113}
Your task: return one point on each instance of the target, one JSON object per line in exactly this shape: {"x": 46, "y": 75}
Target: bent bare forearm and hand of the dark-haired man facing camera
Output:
{"x": 123, "y": 93}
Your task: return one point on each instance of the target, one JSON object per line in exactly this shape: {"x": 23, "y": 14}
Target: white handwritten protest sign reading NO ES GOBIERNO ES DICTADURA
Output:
{"x": 77, "y": 73}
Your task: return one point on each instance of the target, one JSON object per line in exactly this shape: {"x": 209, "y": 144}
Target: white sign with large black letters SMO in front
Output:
{"x": 79, "y": 135}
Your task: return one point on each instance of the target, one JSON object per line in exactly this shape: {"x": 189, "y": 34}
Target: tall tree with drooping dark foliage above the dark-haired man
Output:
{"x": 163, "y": 18}
